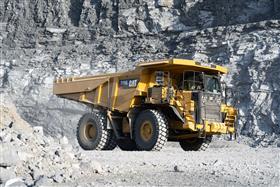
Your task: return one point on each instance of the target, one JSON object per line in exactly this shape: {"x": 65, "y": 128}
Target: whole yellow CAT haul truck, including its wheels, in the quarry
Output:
{"x": 166, "y": 100}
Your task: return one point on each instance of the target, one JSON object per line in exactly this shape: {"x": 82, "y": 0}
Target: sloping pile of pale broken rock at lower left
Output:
{"x": 28, "y": 157}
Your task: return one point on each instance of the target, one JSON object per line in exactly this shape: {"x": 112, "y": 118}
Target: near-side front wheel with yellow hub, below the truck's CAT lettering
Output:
{"x": 157, "y": 133}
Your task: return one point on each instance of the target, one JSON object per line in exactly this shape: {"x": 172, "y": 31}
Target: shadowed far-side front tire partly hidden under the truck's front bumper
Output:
{"x": 196, "y": 144}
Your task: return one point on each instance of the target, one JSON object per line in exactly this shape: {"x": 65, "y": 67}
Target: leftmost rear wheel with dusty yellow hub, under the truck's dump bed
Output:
{"x": 91, "y": 131}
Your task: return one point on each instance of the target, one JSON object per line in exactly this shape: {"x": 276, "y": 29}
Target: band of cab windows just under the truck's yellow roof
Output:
{"x": 197, "y": 81}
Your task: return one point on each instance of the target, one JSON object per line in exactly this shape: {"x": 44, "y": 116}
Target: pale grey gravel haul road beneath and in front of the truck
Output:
{"x": 224, "y": 164}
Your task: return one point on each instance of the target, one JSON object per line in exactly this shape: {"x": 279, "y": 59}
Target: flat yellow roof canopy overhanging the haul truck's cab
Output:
{"x": 168, "y": 63}
